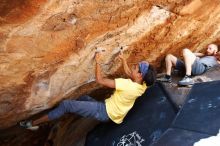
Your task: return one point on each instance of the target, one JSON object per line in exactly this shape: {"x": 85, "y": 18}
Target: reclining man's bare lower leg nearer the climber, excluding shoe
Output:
{"x": 170, "y": 62}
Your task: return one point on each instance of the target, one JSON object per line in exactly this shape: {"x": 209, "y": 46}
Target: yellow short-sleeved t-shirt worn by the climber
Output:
{"x": 122, "y": 100}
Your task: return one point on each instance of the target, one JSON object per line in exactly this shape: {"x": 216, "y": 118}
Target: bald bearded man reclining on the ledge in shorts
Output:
{"x": 193, "y": 64}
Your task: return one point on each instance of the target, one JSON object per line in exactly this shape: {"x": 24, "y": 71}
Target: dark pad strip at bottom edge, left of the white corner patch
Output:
{"x": 179, "y": 137}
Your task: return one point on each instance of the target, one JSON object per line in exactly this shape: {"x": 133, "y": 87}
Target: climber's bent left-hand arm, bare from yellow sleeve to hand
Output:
{"x": 99, "y": 79}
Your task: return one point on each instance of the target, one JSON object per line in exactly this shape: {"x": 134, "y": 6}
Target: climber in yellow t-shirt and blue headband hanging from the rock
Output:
{"x": 114, "y": 108}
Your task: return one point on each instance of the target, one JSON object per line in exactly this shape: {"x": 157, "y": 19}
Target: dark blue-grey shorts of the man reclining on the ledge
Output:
{"x": 197, "y": 67}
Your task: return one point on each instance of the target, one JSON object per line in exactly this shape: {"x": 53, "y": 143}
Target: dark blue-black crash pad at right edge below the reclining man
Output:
{"x": 201, "y": 111}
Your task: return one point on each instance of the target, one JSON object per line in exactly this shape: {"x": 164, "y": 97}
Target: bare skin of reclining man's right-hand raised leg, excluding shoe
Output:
{"x": 189, "y": 59}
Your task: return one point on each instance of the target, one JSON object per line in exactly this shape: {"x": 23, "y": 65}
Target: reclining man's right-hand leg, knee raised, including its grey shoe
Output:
{"x": 189, "y": 59}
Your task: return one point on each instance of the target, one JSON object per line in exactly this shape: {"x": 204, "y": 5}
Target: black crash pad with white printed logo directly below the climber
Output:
{"x": 151, "y": 115}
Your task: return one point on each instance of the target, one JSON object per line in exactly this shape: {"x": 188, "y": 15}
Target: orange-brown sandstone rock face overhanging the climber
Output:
{"x": 47, "y": 47}
